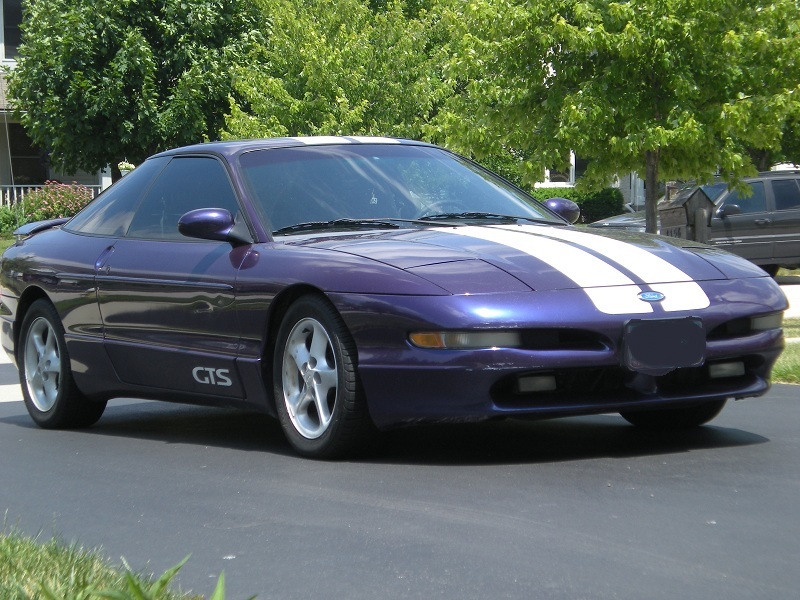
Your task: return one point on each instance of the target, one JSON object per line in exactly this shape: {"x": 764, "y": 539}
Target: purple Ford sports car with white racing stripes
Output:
{"x": 348, "y": 285}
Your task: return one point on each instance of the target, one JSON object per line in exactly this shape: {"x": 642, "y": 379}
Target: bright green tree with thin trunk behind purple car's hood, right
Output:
{"x": 675, "y": 89}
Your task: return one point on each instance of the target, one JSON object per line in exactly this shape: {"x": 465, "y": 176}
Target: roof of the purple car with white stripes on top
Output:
{"x": 235, "y": 147}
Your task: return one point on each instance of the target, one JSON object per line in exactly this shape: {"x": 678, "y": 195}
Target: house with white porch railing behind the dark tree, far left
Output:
{"x": 23, "y": 166}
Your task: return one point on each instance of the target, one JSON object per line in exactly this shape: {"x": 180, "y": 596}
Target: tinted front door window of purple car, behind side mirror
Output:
{"x": 187, "y": 183}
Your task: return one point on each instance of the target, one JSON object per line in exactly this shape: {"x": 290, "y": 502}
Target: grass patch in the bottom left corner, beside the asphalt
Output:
{"x": 30, "y": 569}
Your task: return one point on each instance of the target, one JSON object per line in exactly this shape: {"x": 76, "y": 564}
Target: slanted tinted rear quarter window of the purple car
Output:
{"x": 111, "y": 213}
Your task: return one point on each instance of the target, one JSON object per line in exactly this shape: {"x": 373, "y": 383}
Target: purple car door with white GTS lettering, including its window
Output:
{"x": 167, "y": 300}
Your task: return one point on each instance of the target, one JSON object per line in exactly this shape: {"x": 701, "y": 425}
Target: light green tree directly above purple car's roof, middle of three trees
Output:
{"x": 338, "y": 69}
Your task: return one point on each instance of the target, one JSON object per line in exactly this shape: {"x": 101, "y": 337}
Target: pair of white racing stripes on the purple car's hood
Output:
{"x": 608, "y": 288}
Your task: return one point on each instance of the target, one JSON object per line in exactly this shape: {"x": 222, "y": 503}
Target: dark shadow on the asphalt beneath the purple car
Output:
{"x": 511, "y": 441}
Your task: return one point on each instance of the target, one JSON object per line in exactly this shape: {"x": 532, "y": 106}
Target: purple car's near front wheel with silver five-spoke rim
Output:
{"x": 318, "y": 396}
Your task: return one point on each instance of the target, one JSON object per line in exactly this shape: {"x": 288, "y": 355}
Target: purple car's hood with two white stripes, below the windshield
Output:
{"x": 541, "y": 258}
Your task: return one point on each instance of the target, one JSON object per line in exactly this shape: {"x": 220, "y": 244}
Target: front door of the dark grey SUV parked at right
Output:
{"x": 749, "y": 233}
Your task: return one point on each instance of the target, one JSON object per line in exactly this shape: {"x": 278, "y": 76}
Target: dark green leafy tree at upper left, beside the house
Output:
{"x": 99, "y": 81}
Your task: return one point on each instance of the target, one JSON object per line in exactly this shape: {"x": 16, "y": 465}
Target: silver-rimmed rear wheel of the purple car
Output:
{"x": 51, "y": 396}
